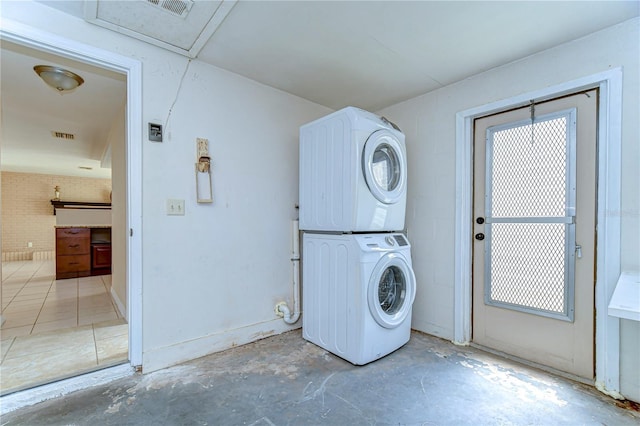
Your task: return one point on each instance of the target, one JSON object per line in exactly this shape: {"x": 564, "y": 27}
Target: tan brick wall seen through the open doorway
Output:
{"x": 27, "y": 213}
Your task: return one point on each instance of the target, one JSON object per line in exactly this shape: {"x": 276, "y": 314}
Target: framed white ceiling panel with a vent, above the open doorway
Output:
{"x": 181, "y": 26}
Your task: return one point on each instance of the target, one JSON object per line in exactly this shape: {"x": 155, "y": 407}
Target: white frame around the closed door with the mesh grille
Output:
{"x": 607, "y": 338}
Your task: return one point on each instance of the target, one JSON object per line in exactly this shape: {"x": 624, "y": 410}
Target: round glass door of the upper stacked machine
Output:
{"x": 383, "y": 165}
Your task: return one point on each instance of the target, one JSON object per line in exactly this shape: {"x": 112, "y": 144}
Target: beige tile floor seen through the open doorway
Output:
{"x": 56, "y": 328}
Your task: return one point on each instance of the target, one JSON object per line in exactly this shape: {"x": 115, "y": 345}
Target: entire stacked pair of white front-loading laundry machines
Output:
{"x": 357, "y": 281}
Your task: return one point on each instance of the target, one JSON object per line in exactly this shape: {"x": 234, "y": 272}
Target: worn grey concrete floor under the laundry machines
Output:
{"x": 286, "y": 380}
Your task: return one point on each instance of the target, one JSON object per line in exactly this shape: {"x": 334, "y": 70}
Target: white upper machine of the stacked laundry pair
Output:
{"x": 353, "y": 173}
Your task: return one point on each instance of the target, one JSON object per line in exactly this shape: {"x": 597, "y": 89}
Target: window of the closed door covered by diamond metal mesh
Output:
{"x": 530, "y": 211}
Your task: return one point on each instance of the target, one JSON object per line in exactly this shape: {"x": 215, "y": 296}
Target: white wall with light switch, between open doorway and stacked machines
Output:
{"x": 211, "y": 278}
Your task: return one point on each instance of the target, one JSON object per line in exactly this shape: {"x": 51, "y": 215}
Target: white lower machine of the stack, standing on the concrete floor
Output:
{"x": 358, "y": 290}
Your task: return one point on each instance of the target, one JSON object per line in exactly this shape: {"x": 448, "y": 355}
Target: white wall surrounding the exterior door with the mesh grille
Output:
{"x": 429, "y": 124}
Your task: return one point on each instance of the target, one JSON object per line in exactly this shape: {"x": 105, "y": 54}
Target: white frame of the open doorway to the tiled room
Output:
{"x": 50, "y": 43}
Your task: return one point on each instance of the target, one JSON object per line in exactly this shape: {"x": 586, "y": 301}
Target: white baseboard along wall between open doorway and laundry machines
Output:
{"x": 163, "y": 357}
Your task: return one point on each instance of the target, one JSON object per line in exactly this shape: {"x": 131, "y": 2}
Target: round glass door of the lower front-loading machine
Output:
{"x": 392, "y": 290}
